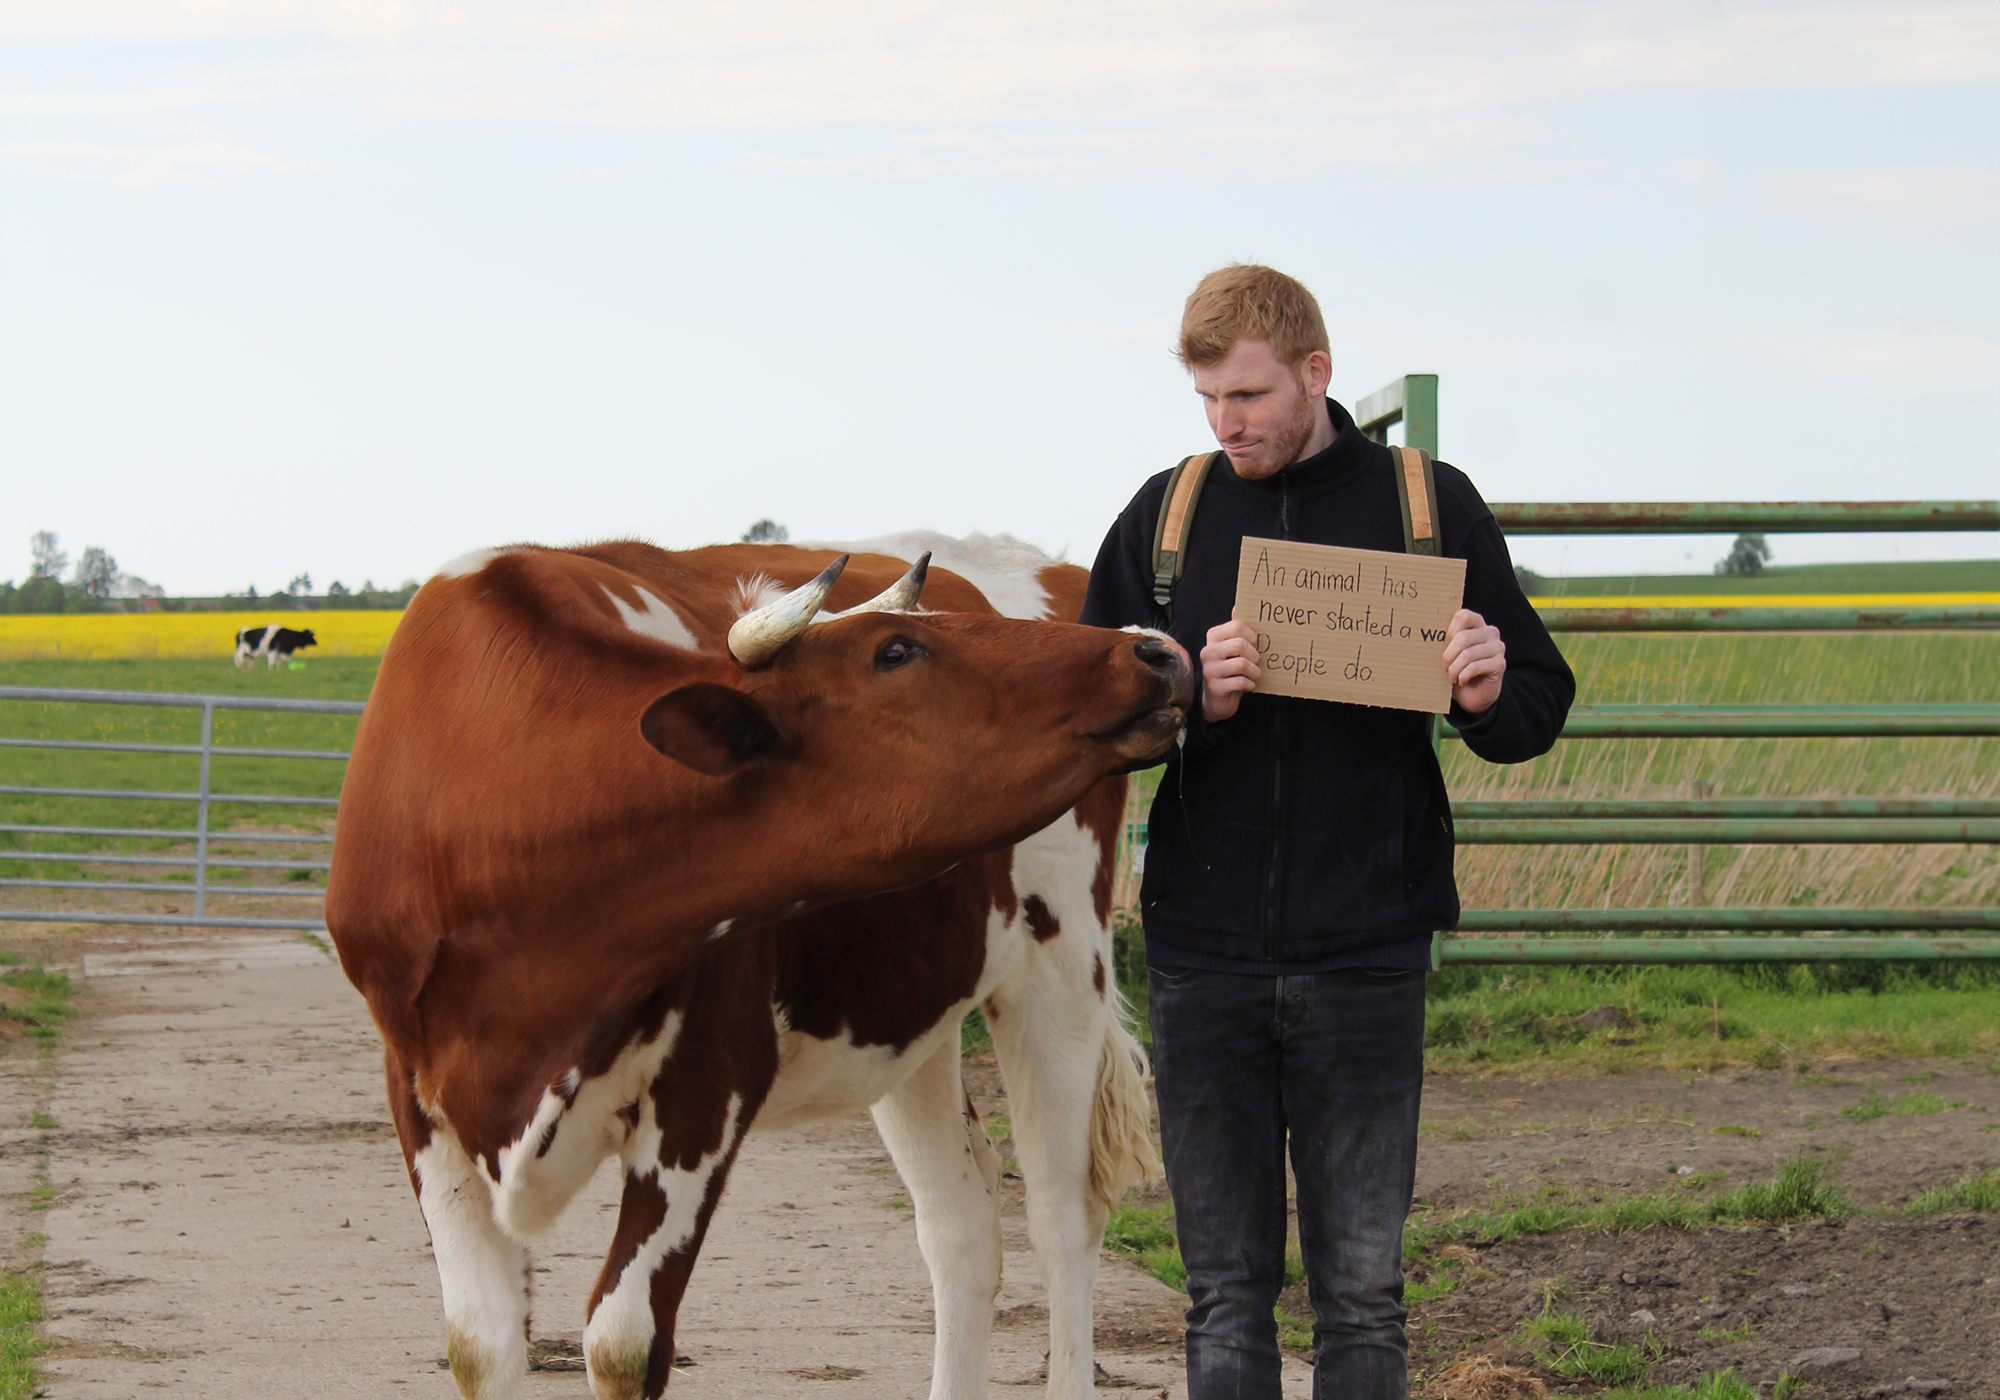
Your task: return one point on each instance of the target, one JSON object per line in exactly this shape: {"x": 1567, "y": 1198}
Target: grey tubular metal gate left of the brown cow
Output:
{"x": 203, "y": 833}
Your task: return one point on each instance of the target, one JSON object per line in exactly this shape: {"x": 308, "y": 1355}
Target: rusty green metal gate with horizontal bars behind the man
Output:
{"x": 1783, "y": 935}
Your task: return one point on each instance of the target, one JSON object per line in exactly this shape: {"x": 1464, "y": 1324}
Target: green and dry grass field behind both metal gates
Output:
{"x": 1493, "y": 1019}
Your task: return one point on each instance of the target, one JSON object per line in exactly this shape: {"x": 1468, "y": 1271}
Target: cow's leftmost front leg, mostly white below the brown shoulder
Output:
{"x": 483, "y": 1275}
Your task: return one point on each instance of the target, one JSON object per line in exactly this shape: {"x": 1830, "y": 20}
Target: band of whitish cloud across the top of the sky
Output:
{"x": 1065, "y": 87}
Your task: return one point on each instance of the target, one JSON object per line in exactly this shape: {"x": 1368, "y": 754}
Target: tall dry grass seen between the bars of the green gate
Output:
{"x": 1749, "y": 671}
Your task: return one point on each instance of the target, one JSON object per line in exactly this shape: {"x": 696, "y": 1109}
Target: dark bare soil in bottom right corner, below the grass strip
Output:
{"x": 1857, "y": 1309}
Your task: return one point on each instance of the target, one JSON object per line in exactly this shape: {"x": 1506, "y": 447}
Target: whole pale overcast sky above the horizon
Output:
{"x": 353, "y": 287}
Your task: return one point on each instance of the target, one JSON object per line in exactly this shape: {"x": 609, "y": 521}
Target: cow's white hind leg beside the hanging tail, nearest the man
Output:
{"x": 1049, "y": 1027}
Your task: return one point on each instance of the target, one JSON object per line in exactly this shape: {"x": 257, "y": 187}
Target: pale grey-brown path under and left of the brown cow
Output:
{"x": 233, "y": 1219}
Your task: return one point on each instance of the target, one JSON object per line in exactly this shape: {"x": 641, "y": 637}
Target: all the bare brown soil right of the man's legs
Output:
{"x": 1915, "y": 1301}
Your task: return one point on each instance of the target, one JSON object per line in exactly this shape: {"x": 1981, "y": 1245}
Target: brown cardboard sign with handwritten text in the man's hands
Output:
{"x": 1365, "y": 627}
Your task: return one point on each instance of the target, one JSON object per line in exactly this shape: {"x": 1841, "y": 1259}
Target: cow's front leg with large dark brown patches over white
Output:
{"x": 687, "y": 1129}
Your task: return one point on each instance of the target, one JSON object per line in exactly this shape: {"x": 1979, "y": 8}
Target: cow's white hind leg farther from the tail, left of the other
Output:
{"x": 953, "y": 1173}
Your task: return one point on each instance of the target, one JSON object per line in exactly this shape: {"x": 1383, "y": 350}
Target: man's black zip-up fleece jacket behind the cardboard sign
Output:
{"x": 1299, "y": 833}
